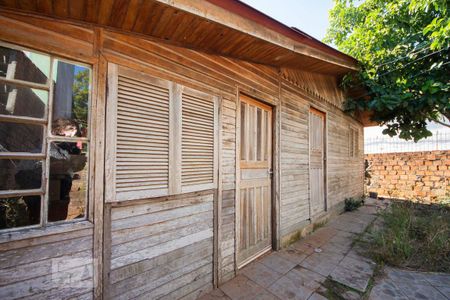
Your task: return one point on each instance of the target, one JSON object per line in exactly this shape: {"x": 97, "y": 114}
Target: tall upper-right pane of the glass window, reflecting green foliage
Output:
{"x": 71, "y": 100}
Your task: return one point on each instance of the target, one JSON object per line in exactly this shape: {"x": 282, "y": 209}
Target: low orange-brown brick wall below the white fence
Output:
{"x": 411, "y": 175}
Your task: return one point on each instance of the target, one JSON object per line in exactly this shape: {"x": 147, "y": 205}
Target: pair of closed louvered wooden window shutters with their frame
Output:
{"x": 161, "y": 137}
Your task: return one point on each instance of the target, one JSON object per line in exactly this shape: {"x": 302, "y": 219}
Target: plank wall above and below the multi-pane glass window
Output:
{"x": 52, "y": 263}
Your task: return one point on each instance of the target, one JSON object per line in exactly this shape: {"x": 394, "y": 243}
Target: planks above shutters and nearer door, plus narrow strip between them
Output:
{"x": 217, "y": 76}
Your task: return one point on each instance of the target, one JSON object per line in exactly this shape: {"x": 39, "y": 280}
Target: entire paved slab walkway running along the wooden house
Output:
{"x": 306, "y": 269}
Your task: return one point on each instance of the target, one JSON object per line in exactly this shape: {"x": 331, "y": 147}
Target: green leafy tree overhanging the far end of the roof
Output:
{"x": 403, "y": 47}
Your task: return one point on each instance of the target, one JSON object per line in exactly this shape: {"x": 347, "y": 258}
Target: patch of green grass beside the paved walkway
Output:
{"x": 413, "y": 235}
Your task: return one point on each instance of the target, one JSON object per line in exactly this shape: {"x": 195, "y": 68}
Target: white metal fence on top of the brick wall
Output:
{"x": 386, "y": 144}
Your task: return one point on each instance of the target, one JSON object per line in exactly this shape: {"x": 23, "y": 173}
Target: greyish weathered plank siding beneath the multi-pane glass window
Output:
{"x": 48, "y": 267}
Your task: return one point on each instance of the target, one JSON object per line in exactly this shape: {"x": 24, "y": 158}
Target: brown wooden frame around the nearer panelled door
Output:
{"x": 275, "y": 183}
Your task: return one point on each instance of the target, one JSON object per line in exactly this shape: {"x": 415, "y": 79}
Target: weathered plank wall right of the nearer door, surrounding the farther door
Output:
{"x": 344, "y": 174}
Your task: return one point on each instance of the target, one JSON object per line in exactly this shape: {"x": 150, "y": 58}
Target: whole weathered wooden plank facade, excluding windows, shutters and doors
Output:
{"x": 177, "y": 245}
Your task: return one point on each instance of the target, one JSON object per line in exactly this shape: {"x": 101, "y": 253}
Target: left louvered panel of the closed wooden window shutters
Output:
{"x": 139, "y": 145}
